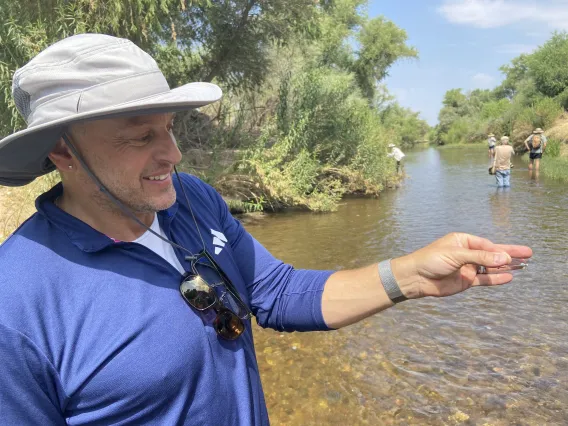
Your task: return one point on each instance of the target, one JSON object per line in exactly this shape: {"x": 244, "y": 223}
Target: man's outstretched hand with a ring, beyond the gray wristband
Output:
{"x": 449, "y": 265}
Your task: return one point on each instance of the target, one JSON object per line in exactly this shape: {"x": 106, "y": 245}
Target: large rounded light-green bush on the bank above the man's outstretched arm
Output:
{"x": 331, "y": 142}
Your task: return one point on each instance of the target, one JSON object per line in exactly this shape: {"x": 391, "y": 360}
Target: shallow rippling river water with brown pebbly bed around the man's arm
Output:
{"x": 488, "y": 357}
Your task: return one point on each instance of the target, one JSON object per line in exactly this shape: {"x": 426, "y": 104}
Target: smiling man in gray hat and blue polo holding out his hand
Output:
{"x": 125, "y": 299}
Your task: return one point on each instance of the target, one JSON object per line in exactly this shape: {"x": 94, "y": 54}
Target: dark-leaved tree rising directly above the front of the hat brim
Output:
{"x": 233, "y": 37}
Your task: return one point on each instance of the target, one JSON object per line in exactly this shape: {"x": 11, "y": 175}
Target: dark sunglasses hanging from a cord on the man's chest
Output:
{"x": 203, "y": 291}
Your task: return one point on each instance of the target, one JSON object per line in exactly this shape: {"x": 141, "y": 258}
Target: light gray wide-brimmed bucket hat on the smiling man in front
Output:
{"x": 85, "y": 77}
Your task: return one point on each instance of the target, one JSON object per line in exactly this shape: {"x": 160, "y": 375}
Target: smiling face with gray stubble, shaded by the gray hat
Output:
{"x": 133, "y": 157}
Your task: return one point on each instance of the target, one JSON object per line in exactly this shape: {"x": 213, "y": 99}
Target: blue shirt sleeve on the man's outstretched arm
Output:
{"x": 281, "y": 297}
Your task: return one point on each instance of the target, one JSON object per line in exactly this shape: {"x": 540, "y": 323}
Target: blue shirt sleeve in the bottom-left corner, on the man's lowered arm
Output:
{"x": 30, "y": 389}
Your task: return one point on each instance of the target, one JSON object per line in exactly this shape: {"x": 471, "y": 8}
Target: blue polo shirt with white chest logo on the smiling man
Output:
{"x": 94, "y": 331}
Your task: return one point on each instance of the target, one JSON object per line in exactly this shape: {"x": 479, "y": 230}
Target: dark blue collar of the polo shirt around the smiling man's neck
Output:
{"x": 82, "y": 235}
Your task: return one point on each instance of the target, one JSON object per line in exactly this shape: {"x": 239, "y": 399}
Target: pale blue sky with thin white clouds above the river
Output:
{"x": 462, "y": 43}
